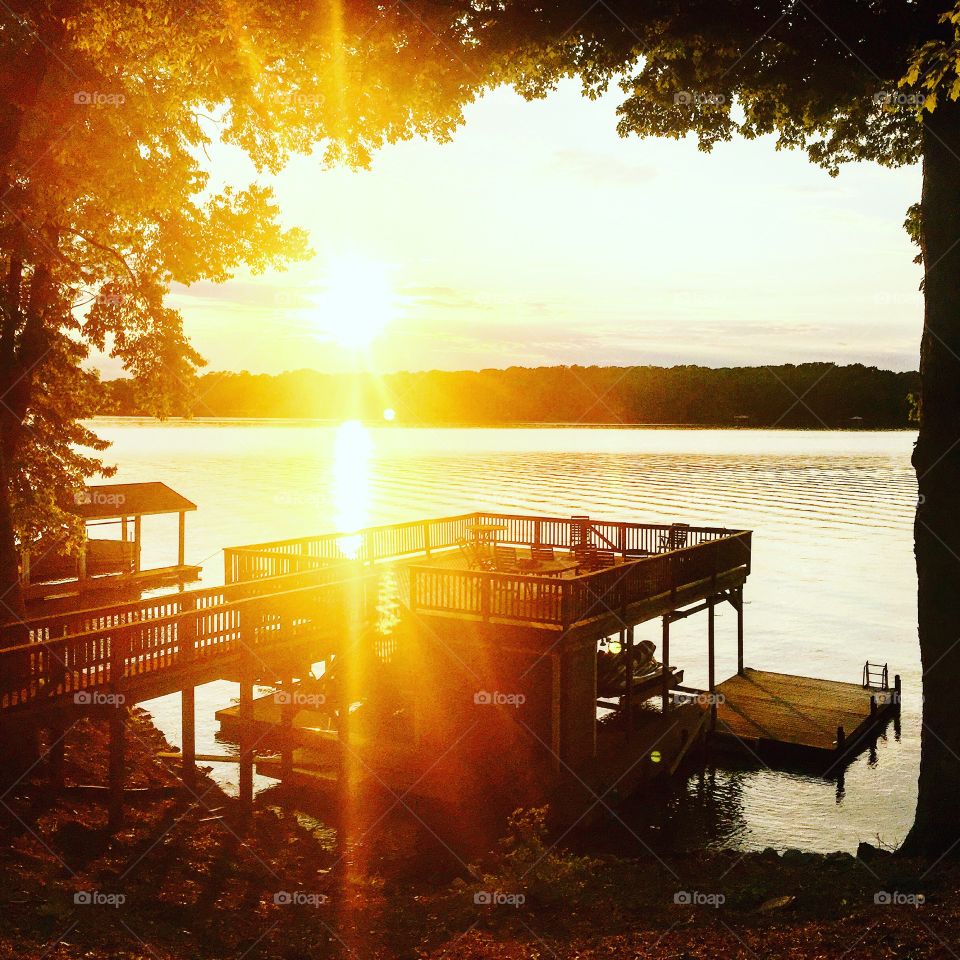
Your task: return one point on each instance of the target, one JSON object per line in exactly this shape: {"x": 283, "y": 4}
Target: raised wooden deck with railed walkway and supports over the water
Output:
{"x": 368, "y": 598}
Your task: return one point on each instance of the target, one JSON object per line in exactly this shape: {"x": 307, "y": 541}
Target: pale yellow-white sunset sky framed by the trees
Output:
{"x": 539, "y": 236}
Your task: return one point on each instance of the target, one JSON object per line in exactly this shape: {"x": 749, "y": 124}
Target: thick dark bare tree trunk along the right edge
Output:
{"x": 936, "y": 459}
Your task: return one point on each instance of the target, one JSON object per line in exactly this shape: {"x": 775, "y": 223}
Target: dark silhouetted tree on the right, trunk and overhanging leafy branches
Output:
{"x": 844, "y": 80}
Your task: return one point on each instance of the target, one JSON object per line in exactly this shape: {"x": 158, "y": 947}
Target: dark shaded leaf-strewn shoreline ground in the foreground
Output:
{"x": 188, "y": 880}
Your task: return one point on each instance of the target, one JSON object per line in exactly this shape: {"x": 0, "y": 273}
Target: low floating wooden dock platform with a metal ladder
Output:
{"x": 760, "y": 711}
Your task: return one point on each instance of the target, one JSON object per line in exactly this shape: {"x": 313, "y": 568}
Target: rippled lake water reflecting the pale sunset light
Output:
{"x": 833, "y": 582}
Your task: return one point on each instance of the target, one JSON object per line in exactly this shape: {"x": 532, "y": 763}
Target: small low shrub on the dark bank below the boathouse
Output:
{"x": 527, "y": 863}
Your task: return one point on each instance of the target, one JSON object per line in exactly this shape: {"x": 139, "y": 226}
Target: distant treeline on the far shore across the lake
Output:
{"x": 810, "y": 395}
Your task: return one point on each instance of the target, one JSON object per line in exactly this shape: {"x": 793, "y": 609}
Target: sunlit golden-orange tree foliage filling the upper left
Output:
{"x": 108, "y": 111}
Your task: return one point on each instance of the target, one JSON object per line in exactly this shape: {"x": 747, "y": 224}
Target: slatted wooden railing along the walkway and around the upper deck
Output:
{"x": 108, "y": 648}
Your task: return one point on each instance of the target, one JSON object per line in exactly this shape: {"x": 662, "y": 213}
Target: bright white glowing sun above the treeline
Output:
{"x": 358, "y": 302}
